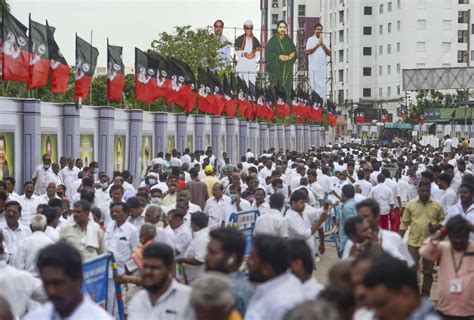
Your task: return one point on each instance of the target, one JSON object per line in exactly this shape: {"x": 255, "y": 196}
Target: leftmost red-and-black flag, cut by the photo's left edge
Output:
{"x": 15, "y": 57}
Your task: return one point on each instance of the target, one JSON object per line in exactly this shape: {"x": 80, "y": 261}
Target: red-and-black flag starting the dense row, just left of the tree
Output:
{"x": 145, "y": 76}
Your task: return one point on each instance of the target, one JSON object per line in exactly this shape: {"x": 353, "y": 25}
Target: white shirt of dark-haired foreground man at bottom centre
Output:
{"x": 274, "y": 298}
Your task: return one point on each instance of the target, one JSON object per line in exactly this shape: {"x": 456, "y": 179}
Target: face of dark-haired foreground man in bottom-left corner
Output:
{"x": 61, "y": 289}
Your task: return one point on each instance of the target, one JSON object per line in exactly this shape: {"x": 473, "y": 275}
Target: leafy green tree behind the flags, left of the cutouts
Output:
{"x": 196, "y": 48}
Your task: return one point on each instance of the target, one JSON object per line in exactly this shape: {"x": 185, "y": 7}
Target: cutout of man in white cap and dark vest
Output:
{"x": 247, "y": 50}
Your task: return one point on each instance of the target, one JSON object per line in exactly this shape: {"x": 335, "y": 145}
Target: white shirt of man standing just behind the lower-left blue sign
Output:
{"x": 121, "y": 241}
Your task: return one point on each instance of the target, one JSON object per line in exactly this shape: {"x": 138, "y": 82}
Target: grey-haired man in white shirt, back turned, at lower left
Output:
{"x": 33, "y": 244}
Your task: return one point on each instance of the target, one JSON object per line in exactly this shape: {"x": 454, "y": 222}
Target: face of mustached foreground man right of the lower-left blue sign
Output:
{"x": 155, "y": 274}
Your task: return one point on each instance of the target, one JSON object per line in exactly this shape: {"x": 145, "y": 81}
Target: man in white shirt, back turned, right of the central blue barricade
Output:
{"x": 272, "y": 221}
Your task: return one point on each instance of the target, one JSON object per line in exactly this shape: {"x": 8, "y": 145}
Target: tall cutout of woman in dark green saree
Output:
{"x": 280, "y": 56}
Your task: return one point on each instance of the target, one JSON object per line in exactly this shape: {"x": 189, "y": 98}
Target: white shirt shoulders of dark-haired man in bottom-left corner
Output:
{"x": 87, "y": 309}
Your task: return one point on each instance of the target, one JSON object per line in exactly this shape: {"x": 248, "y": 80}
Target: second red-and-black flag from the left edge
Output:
{"x": 39, "y": 55}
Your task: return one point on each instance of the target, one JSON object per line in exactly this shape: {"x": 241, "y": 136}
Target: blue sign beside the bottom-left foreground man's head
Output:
{"x": 96, "y": 278}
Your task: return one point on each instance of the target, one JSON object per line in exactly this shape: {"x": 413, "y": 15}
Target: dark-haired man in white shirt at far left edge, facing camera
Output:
{"x": 13, "y": 231}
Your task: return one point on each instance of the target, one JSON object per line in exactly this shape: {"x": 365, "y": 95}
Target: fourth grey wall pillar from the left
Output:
{"x": 135, "y": 149}
